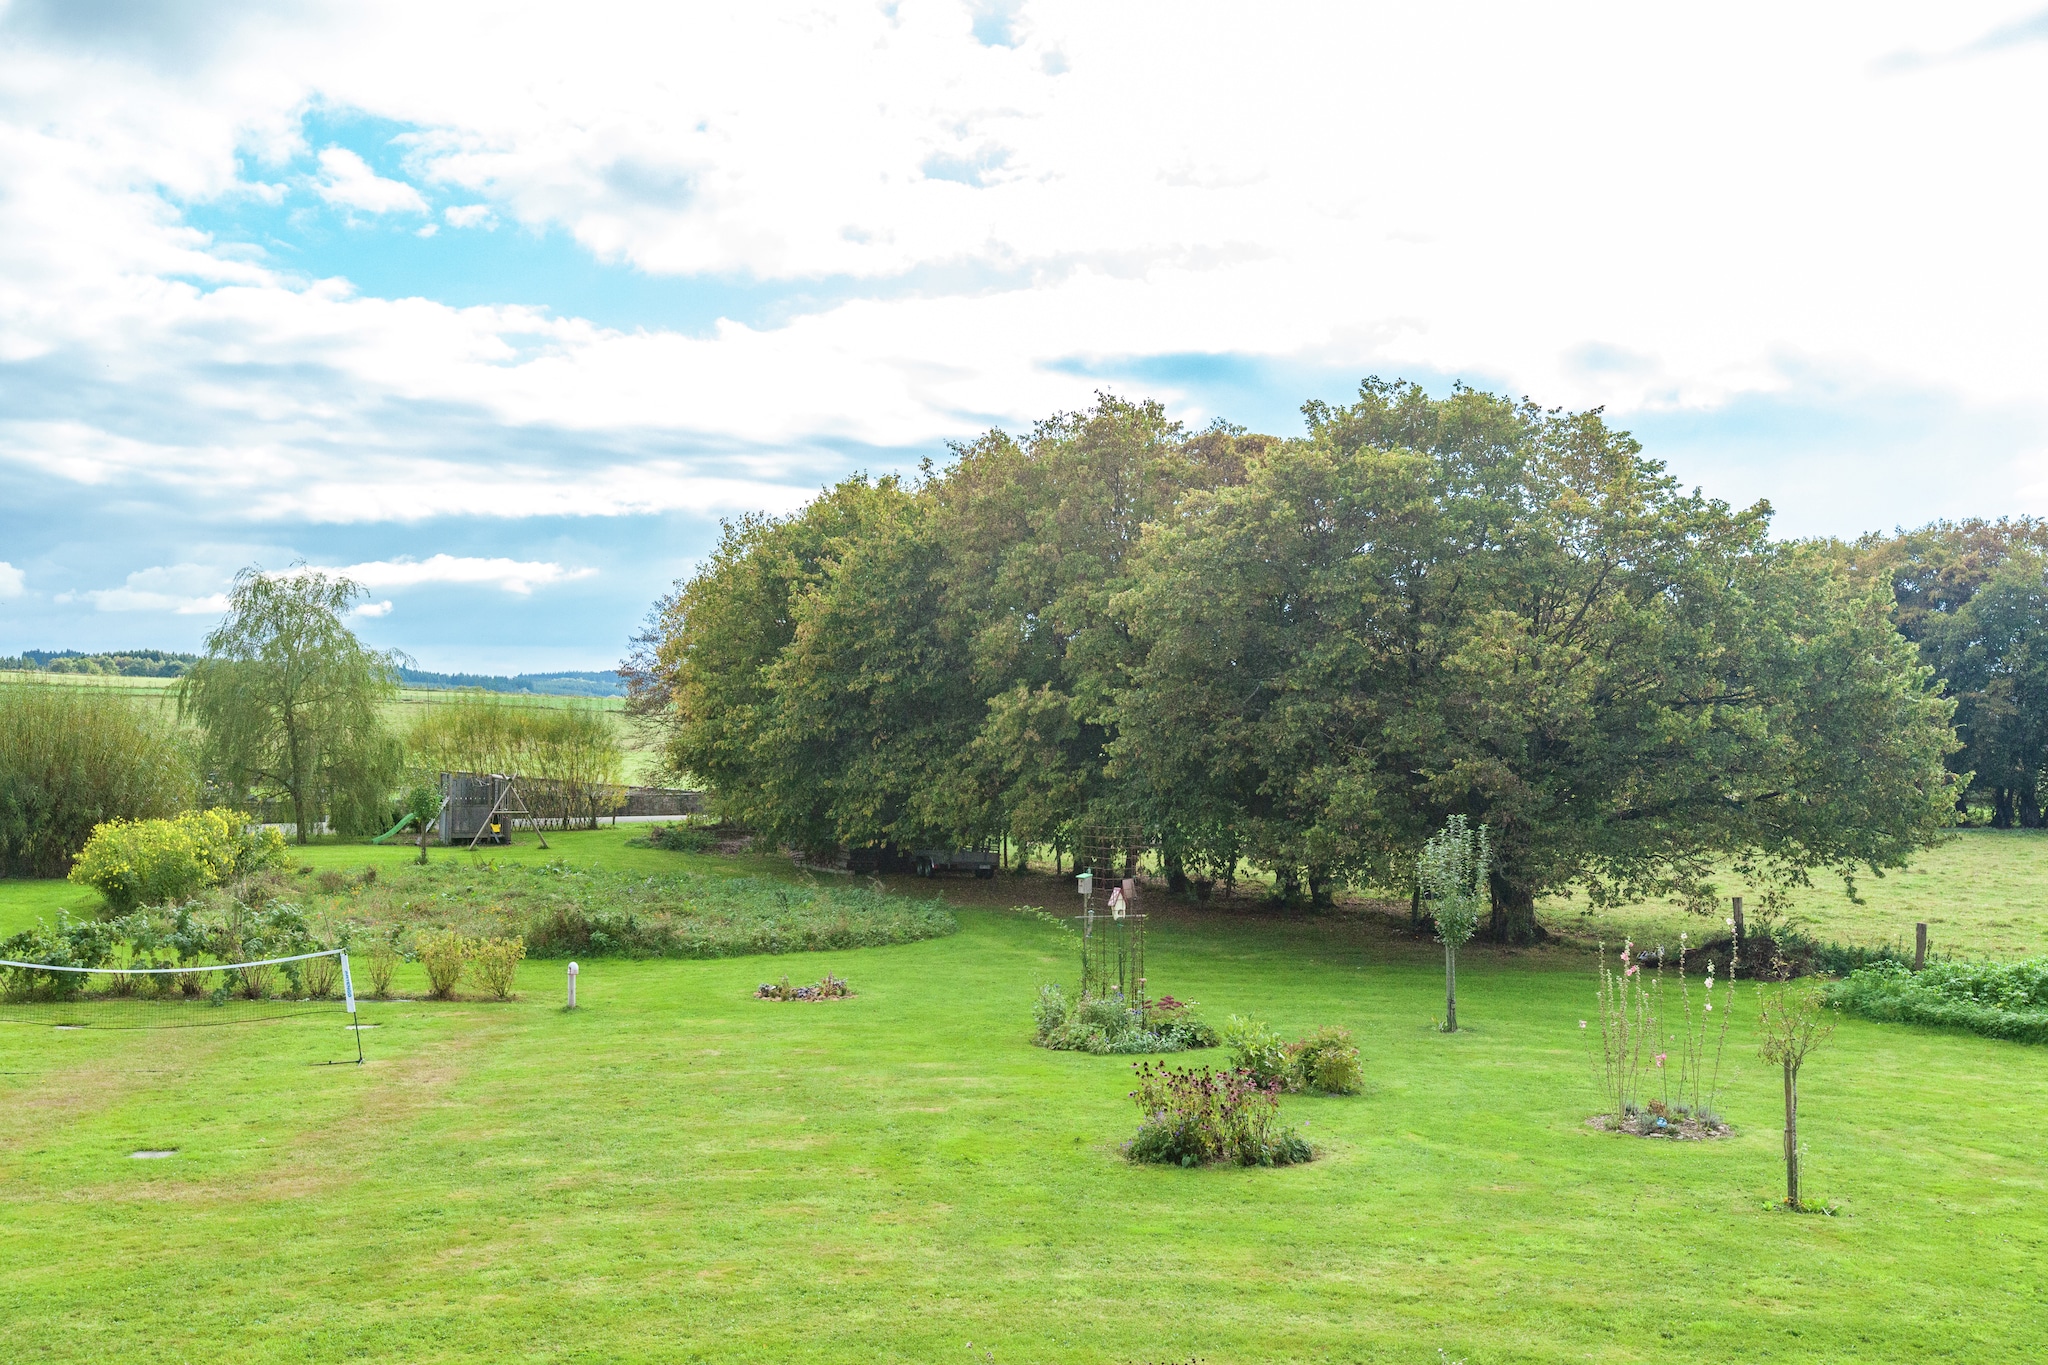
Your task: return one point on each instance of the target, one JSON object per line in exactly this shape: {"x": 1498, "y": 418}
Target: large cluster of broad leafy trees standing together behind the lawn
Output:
{"x": 1304, "y": 656}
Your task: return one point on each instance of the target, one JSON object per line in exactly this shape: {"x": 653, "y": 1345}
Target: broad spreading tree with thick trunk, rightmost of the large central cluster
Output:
{"x": 1474, "y": 607}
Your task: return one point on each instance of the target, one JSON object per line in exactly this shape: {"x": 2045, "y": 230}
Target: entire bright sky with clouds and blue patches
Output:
{"x": 503, "y": 308}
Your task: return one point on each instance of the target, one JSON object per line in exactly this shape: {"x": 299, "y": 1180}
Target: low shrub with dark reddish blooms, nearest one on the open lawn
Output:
{"x": 1201, "y": 1116}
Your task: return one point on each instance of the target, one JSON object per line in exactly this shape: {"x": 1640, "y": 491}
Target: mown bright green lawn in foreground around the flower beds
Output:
{"x": 681, "y": 1174}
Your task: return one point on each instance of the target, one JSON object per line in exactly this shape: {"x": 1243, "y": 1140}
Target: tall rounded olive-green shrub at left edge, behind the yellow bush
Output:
{"x": 73, "y": 758}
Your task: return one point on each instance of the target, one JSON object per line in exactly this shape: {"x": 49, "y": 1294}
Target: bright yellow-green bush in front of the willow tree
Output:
{"x": 163, "y": 863}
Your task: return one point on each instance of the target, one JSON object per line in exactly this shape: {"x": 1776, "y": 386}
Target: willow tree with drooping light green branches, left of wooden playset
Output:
{"x": 288, "y": 699}
